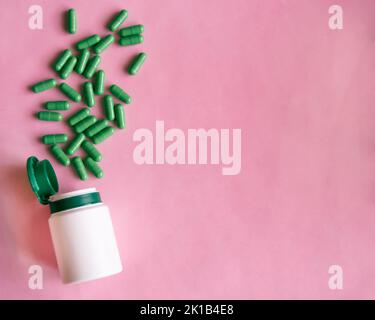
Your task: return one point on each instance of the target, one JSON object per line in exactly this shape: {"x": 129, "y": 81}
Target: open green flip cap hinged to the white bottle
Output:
{"x": 42, "y": 179}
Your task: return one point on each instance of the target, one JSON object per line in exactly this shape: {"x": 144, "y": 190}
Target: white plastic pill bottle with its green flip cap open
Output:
{"x": 80, "y": 226}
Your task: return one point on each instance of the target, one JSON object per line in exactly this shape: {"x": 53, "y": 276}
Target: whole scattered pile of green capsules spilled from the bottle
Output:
{"x": 86, "y": 126}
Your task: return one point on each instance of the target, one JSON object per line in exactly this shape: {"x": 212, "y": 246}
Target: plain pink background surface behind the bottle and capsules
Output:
{"x": 303, "y": 96}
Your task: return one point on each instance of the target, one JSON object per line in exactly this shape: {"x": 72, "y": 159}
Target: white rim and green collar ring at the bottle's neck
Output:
{"x": 72, "y": 200}
